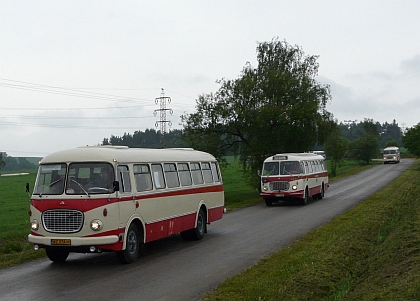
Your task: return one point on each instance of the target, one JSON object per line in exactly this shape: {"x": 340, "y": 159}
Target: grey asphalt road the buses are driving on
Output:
{"x": 173, "y": 269}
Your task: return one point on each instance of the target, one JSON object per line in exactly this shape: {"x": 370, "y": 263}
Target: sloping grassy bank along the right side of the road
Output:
{"x": 369, "y": 253}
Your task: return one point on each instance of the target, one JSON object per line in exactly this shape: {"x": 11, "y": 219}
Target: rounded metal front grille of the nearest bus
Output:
{"x": 62, "y": 221}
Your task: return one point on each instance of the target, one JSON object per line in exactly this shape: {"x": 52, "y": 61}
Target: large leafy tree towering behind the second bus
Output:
{"x": 275, "y": 107}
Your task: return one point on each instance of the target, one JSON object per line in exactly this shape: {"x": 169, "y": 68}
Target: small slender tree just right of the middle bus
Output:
{"x": 336, "y": 148}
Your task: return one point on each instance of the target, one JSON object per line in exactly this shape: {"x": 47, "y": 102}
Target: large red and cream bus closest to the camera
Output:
{"x": 115, "y": 198}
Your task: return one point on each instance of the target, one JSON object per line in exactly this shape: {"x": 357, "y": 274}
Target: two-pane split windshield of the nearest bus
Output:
{"x": 81, "y": 178}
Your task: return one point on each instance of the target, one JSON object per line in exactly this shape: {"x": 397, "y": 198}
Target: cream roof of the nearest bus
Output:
{"x": 124, "y": 154}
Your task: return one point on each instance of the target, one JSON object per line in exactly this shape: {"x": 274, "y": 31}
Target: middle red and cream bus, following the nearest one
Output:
{"x": 293, "y": 176}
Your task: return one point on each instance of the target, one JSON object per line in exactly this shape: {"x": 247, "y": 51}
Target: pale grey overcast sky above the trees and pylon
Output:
{"x": 75, "y": 72}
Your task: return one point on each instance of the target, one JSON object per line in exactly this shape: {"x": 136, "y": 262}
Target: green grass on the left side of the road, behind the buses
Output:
{"x": 14, "y": 206}
